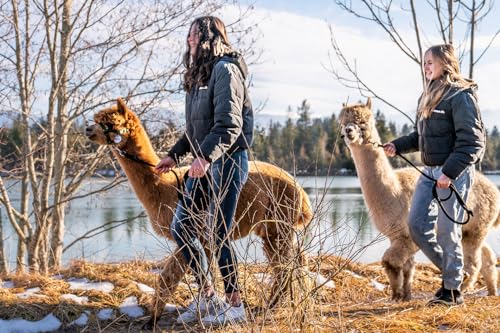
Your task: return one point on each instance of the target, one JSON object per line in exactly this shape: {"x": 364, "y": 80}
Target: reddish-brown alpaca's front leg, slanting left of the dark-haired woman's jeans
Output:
{"x": 167, "y": 282}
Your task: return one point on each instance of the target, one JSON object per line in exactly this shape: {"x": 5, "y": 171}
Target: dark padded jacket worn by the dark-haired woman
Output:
{"x": 219, "y": 116}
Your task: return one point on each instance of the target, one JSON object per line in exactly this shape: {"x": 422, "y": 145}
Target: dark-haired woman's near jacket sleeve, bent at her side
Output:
{"x": 228, "y": 104}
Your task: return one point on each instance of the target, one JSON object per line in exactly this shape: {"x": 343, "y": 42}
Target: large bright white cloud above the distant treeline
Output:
{"x": 296, "y": 51}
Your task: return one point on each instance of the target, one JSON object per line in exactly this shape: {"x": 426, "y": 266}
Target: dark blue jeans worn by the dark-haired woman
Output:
{"x": 205, "y": 216}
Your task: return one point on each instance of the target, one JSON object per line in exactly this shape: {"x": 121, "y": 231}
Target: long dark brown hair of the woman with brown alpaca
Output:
{"x": 213, "y": 44}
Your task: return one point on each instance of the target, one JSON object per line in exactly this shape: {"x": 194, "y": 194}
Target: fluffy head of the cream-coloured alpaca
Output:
{"x": 357, "y": 123}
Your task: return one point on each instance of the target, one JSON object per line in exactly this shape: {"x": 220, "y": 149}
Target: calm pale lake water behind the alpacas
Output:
{"x": 341, "y": 226}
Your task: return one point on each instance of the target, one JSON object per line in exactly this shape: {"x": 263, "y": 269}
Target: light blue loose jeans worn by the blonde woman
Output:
{"x": 444, "y": 245}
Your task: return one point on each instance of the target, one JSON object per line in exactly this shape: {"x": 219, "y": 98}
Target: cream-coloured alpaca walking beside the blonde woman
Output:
{"x": 388, "y": 192}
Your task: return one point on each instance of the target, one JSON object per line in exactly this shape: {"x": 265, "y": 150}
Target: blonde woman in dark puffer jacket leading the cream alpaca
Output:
{"x": 449, "y": 133}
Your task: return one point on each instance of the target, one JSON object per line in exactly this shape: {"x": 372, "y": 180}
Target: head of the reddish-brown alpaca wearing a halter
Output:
{"x": 113, "y": 126}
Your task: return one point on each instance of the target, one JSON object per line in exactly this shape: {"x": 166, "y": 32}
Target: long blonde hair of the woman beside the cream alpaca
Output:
{"x": 435, "y": 90}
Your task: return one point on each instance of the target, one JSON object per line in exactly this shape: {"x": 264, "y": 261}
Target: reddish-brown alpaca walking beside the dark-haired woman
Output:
{"x": 271, "y": 203}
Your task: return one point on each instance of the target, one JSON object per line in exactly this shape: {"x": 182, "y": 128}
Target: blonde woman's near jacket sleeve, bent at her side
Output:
{"x": 469, "y": 135}
